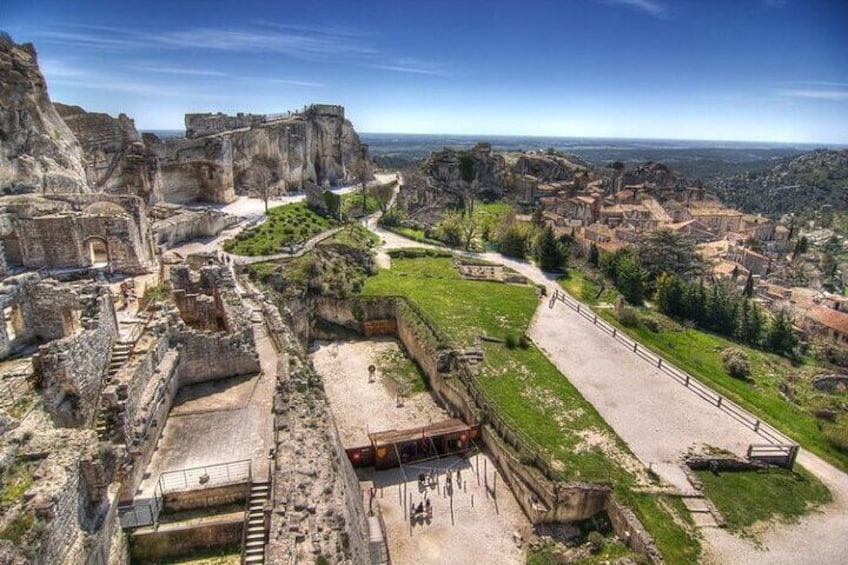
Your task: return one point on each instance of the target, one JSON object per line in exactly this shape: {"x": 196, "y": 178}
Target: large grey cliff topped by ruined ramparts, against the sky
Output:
{"x": 225, "y": 156}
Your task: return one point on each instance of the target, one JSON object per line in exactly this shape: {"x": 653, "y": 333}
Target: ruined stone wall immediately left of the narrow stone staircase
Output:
{"x": 71, "y": 370}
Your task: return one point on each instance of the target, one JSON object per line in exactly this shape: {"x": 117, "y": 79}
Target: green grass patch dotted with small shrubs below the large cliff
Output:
{"x": 286, "y": 225}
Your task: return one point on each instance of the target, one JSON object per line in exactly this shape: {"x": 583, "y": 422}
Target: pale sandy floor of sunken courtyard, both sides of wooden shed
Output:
{"x": 480, "y": 533}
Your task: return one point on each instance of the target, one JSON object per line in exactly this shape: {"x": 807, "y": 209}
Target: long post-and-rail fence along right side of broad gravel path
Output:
{"x": 763, "y": 429}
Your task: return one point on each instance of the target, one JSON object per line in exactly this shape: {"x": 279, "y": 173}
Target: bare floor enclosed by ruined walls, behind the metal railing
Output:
{"x": 223, "y": 421}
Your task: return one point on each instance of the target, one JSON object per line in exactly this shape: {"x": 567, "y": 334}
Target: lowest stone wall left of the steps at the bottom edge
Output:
{"x": 153, "y": 546}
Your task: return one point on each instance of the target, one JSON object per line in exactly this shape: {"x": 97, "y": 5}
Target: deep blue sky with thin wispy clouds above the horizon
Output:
{"x": 764, "y": 70}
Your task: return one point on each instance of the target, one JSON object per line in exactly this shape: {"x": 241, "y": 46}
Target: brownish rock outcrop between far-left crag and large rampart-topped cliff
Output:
{"x": 116, "y": 157}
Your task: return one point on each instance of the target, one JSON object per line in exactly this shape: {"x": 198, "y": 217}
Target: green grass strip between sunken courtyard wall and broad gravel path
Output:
{"x": 529, "y": 391}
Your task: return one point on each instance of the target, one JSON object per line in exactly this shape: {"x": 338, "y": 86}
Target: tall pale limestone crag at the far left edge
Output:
{"x": 38, "y": 153}
